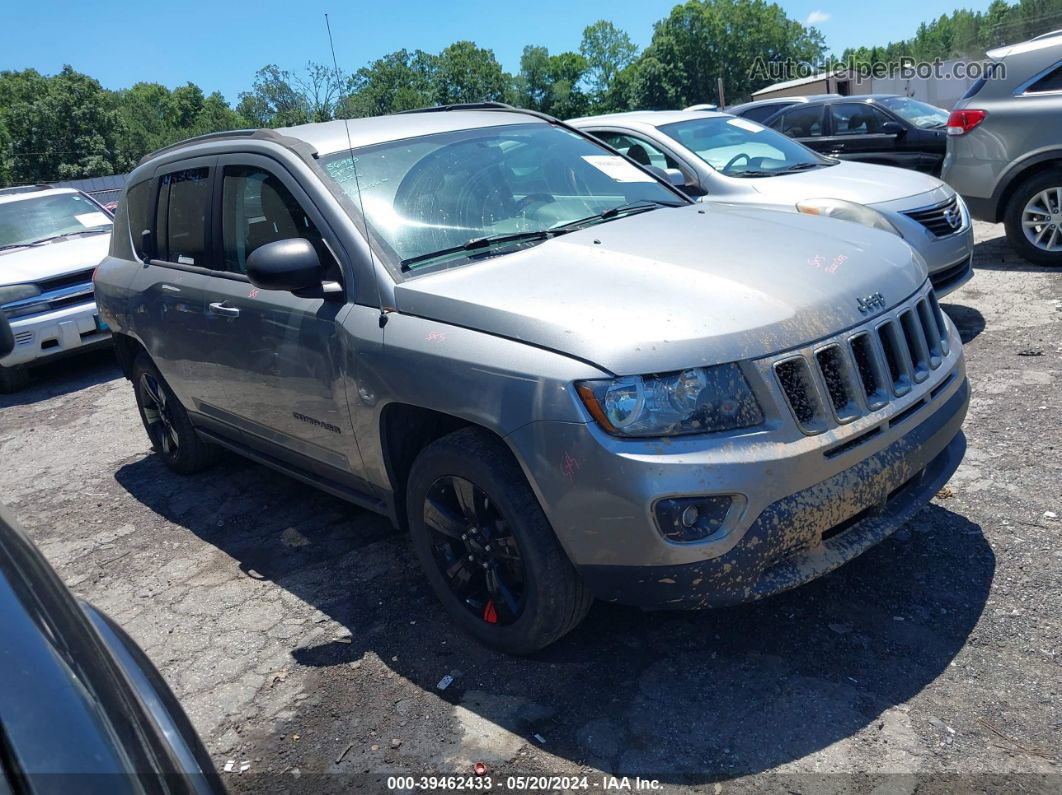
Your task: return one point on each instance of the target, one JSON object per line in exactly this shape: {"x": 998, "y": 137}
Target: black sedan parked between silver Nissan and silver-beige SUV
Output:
{"x": 881, "y": 129}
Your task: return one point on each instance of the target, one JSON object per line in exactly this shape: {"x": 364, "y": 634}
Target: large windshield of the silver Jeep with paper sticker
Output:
{"x": 441, "y": 193}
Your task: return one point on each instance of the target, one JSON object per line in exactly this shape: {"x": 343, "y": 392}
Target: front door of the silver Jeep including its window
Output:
{"x": 279, "y": 354}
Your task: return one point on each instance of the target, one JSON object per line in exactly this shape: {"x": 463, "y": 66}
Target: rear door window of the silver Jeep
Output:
{"x": 183, "y": 217}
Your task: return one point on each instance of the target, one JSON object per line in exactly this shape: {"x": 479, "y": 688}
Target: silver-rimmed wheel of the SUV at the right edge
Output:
{"x": 1034, "y": 219}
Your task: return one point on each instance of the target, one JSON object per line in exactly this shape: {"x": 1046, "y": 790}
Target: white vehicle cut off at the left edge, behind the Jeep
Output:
{"x": 52, "y": 239}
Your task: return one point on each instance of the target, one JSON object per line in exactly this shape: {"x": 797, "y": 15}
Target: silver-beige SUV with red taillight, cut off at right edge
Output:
{"x": 1005, "y": 147}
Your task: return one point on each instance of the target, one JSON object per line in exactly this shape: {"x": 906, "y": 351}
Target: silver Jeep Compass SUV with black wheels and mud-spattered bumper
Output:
{"x": 566, "y": 378}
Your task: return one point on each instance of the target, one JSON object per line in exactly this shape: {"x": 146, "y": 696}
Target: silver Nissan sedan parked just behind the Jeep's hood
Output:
{"x": 728, "y": 160}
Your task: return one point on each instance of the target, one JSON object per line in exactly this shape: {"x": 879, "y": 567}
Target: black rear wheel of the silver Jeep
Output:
{"x": 167, "y": 423}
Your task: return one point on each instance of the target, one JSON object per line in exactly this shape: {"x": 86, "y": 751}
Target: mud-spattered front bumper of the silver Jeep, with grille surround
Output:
{"x": 800, "y": 480}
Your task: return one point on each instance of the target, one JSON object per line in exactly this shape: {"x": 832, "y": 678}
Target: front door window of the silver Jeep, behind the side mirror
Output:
{"x": 258, "y": 210}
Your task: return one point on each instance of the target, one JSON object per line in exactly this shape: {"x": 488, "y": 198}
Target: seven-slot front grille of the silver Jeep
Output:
{"x": 866, "y": 370}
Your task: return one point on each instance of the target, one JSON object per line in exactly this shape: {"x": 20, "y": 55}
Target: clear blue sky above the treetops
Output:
{"x": 170, "y": 43}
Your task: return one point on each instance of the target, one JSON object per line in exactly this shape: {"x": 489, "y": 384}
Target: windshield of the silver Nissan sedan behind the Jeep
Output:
{"x": 743, "y": 148}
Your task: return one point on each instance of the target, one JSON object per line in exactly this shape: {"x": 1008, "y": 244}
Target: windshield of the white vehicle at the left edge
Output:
{"x": 27, "y": 221}
